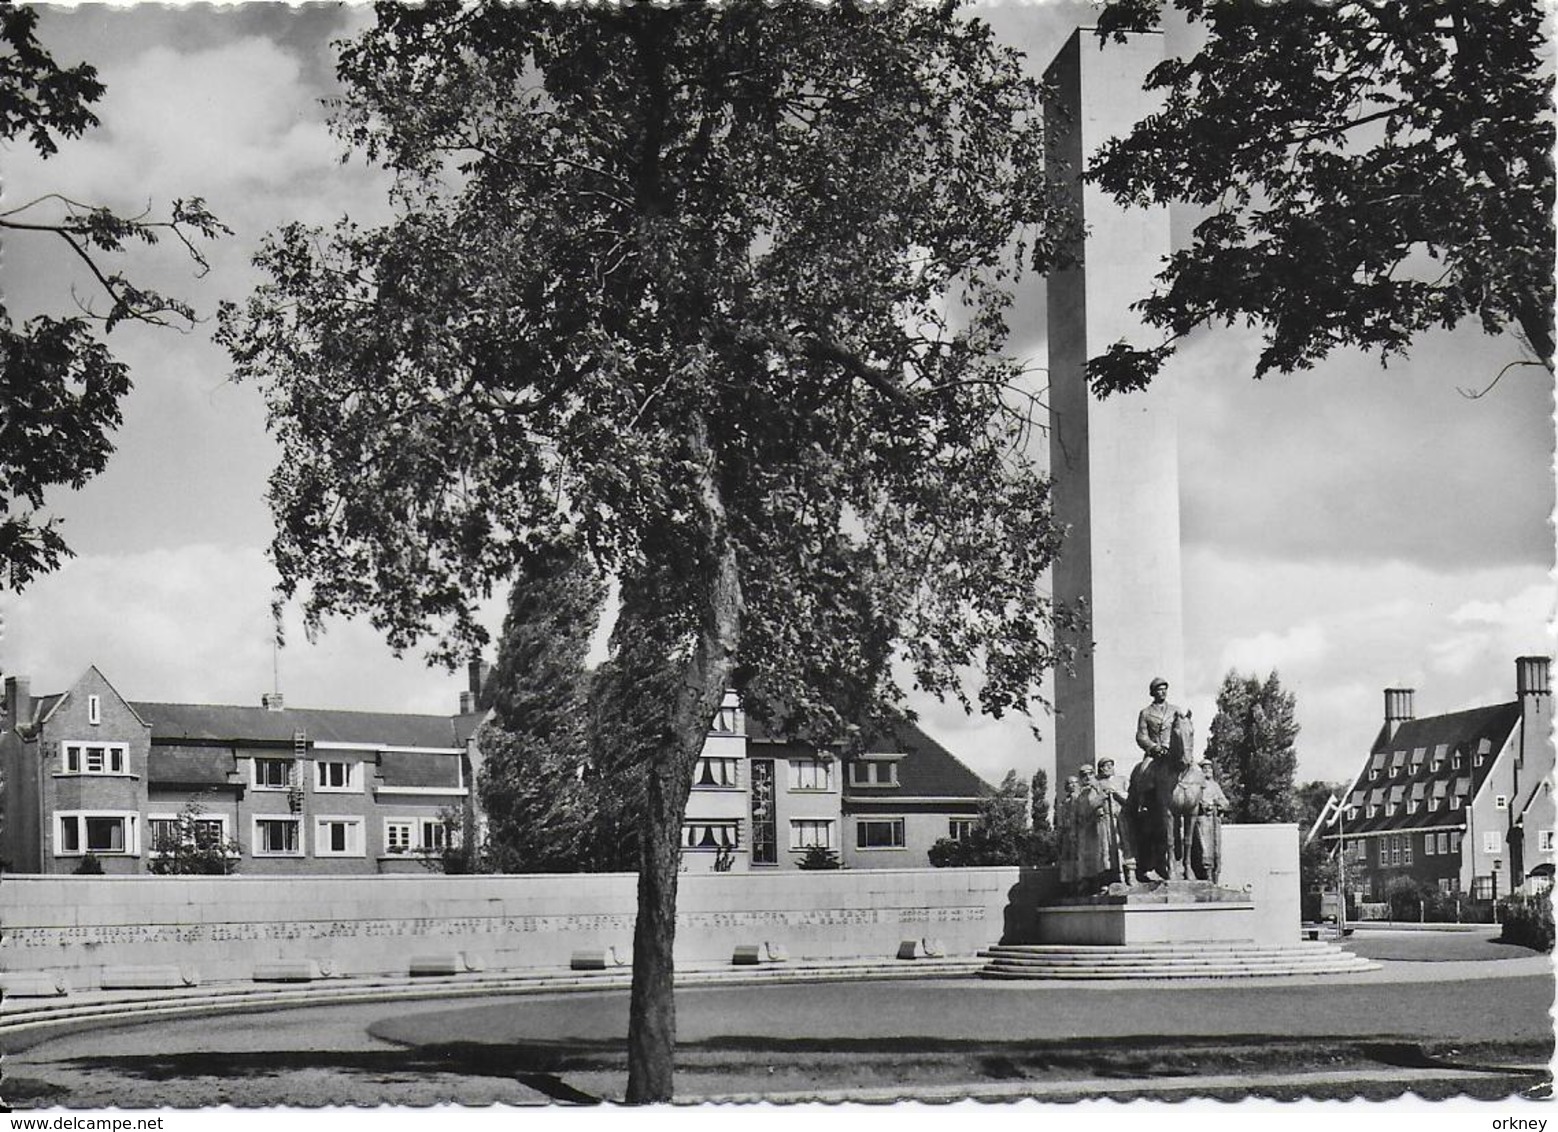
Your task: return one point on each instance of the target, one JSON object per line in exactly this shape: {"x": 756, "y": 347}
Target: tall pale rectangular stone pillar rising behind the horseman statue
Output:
{"x": 1115, "y": 463}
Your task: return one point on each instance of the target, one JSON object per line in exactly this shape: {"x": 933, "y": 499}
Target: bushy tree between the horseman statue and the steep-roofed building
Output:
{"x": 1252, "y": 747}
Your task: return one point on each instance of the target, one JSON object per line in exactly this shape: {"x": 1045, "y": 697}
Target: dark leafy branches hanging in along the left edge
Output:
{"x": 60, "y": 385}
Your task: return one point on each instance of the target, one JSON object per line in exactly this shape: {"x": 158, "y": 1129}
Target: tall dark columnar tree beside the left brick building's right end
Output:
{"x": 535, "y": 750}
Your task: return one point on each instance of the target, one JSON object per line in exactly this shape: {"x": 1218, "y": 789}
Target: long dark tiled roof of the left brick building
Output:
{"x": 214, "y": 723}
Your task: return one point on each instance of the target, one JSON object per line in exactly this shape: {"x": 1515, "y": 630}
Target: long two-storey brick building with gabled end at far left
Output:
{"x": 301, "y": 790}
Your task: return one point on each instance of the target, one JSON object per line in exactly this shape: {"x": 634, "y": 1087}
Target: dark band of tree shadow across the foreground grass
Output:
{"x": 546, "y": 1066}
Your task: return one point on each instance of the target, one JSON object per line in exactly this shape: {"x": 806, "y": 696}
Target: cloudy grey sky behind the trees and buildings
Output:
{"x": 1355, "y": 529}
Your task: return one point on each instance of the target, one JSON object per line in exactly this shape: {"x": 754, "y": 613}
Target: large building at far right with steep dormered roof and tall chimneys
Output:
{"x": 1461, "y": 803}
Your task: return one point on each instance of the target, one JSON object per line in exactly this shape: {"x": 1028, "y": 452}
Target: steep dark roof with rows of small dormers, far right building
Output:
{"x": 1434, "y": 781}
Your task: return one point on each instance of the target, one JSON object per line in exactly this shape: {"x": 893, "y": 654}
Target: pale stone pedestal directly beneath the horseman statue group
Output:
{"x": 1180, "y": 912}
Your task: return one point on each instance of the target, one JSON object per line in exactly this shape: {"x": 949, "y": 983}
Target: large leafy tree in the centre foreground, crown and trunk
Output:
{"x": 719, "y": 292}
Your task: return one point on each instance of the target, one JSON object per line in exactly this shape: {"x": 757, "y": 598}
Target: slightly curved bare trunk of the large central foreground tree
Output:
{"x": 707, "y": 675}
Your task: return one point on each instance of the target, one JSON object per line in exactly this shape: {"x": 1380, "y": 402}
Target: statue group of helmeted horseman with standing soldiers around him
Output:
{"x": 1165, "y": 823}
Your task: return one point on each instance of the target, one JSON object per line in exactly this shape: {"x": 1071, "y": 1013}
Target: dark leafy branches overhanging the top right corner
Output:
{"x": 1369, "y": 172}
